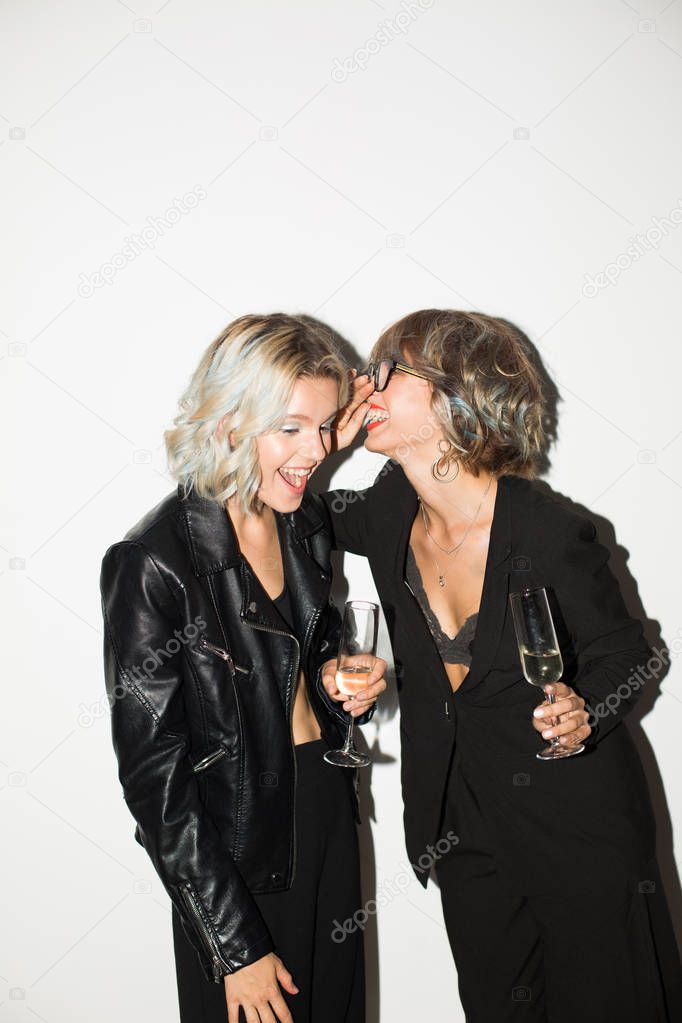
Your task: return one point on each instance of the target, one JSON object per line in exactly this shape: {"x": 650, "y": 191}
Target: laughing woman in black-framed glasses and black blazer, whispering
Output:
{"x": 552, "y": 894}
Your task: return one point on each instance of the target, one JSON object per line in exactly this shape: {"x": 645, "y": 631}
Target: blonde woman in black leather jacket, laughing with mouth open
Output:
{"x": 218, "y": 627}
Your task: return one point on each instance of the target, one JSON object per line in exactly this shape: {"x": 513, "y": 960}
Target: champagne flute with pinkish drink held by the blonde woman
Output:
{"x": 357, "y": 653}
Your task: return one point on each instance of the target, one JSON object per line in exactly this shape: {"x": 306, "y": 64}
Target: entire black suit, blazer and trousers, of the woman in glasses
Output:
{"x": 555, "y": 860}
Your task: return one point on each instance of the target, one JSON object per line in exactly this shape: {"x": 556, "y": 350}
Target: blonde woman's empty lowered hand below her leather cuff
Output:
{"x": 256, "y": 989}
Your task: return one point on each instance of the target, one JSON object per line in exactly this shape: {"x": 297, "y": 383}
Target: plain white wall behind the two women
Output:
{"x": 495, "y": 157}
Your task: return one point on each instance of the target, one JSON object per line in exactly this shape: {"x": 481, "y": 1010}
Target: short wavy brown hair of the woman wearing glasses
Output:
{"x": 488, "y": 395}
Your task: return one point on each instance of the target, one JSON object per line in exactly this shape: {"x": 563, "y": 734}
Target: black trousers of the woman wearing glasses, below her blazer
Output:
{"x": 541, "y": 959}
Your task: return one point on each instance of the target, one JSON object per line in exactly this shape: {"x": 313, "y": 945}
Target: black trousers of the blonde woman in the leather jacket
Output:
{"x": 307, "y": 921}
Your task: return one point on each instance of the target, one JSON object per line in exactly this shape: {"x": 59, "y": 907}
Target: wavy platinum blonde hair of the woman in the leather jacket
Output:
{"x": 247, "y": 376}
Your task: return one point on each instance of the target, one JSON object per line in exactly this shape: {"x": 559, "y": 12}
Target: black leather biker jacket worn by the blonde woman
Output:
{"x": 201, "y": 680}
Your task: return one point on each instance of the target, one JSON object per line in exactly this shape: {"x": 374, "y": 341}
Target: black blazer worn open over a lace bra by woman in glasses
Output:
{"x": 589, "y": 815}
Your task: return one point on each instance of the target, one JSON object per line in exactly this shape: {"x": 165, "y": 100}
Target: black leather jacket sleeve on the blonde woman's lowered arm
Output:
{"x": 145, "y": 684}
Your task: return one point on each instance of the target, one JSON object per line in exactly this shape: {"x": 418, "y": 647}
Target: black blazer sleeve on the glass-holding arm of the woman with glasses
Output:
{"x": 610, "y": 644}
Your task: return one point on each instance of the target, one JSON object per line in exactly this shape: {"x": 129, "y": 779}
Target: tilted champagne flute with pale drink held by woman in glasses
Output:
{"x": 540, "y": 655}
